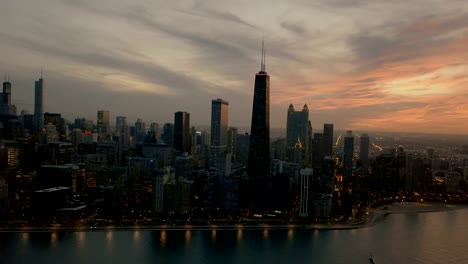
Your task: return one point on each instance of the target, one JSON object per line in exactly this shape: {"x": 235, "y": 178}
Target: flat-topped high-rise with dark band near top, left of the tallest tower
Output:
{"x": 219, "y": 122}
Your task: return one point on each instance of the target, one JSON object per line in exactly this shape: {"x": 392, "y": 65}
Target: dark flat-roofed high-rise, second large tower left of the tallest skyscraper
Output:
{"x": 182, "y": 132}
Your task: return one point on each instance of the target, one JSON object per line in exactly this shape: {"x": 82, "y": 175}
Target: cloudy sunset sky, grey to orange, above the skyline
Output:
{"x": 360, "y": 64}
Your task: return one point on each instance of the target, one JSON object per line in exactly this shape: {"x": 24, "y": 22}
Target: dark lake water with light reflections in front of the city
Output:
{"x": 436, "y": 237}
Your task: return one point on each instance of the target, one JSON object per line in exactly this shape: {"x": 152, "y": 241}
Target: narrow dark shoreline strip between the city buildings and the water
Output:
{"x": 375, "y": 216}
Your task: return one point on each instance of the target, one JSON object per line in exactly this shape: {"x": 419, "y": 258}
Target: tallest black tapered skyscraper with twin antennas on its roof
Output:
{"x": 259, "y": 148}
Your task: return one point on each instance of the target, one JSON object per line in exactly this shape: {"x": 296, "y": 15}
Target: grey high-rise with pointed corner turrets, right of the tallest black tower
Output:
{"x": 297, "y": 130}
